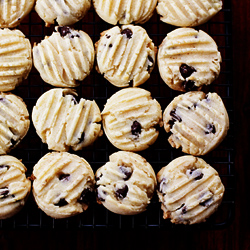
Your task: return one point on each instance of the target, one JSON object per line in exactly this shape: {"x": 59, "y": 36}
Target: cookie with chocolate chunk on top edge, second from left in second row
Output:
{"x": 65, "y": 58}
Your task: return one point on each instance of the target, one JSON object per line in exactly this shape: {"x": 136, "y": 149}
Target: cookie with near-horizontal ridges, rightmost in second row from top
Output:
{"x": 188, "y": 59}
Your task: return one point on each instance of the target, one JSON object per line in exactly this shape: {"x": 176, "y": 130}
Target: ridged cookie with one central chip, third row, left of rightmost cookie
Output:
{"x": 130, "y": 119}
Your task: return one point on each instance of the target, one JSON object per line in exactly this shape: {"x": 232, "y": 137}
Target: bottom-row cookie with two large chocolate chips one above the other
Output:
{"x": 125, "y": 184}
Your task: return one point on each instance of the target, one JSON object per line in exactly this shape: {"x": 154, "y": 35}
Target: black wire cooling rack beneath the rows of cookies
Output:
{"x": 30, "y": 150}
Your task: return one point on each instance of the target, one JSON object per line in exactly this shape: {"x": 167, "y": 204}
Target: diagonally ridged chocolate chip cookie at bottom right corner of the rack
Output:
{"x": 189, "y": 190}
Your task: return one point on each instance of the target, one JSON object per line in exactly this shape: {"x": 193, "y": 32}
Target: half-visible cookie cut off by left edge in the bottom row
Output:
{"x": 14, "y": 186}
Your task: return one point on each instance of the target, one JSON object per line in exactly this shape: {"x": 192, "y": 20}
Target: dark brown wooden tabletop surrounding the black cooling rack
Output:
{"x": 235, "y": 236}
